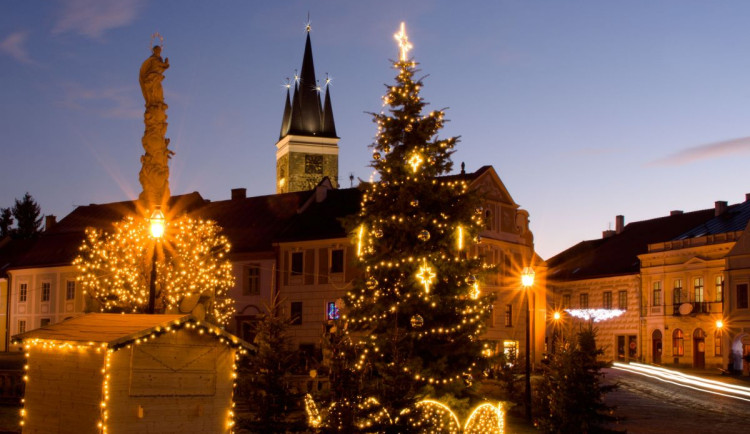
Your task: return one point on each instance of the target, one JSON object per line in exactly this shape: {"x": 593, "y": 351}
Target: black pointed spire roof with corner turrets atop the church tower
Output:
{"x": 306, "y": 117}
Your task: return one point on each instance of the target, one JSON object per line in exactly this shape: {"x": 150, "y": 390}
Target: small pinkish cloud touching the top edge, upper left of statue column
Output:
{"x": 94, "y": 17}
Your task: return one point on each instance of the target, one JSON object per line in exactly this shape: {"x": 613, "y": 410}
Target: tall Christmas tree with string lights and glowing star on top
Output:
{"x": 419, "y": 310}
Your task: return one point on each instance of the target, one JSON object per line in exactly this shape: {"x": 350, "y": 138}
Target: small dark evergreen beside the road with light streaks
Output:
{"x": 571, "y": 395}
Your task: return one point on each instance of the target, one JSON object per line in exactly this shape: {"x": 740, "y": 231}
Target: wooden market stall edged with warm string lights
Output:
{"x": 126, "y": 373}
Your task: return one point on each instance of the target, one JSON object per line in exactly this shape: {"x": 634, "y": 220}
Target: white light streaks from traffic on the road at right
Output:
{"x": 688, "y": 381}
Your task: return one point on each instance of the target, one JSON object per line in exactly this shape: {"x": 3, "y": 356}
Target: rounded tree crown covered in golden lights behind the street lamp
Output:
{"x": 193, "y": 272}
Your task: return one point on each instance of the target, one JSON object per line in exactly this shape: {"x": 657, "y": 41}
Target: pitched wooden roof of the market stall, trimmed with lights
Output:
{"x": 116, "y": 330}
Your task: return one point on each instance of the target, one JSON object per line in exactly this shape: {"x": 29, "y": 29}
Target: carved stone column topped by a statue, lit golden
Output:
{"x": 154, "y": 175}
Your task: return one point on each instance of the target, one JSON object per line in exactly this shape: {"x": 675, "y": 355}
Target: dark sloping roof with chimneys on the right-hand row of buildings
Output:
{"x": 618, "y": 254}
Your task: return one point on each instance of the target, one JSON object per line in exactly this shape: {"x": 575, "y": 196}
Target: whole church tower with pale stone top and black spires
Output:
{"x": 307, "y": 150}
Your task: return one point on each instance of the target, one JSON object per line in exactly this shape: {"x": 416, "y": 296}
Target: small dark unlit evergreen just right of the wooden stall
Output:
{"x": 264, "y": 376}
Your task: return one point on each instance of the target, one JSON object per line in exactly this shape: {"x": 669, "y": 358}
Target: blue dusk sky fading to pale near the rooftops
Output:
{"x": 586, "y": 109}
